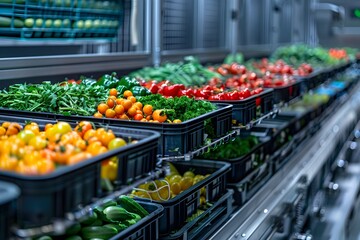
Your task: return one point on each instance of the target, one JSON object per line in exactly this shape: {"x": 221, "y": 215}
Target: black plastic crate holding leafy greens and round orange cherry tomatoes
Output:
{"x": 175, "y": 139}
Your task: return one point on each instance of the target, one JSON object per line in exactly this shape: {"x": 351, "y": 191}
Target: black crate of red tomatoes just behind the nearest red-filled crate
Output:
{"x": 288, "y": 92}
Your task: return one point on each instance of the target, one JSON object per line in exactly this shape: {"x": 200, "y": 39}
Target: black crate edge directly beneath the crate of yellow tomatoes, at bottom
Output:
{"x": 207, "y": 223}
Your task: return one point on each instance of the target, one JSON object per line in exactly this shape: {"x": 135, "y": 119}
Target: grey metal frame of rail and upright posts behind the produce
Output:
{"x": 152, "y": 54}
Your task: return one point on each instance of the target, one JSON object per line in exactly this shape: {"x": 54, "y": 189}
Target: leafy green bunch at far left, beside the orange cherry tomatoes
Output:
{"x": 66, "y": 99}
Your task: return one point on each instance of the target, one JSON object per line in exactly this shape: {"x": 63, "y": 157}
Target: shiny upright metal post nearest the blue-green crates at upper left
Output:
{"x": 156, "y": 32}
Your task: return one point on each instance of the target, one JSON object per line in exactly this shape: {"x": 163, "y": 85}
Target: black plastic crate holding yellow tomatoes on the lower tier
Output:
{"x": 179, "y": 208}
